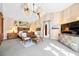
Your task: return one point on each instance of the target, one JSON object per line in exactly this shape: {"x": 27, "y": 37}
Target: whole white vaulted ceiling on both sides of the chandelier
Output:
{"x": 15, "y": 10}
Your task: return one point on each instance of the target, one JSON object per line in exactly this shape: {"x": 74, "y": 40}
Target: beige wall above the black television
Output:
{"x": 70, "y": 14}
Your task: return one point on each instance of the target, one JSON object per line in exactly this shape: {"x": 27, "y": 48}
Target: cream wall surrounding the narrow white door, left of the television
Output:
{"x": 54, "y": 19}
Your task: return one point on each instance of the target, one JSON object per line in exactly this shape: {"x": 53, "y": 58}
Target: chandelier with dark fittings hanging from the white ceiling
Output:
{"x": 30, "y": 9}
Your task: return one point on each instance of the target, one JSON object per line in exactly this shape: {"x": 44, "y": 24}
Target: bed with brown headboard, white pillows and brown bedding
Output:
{"x": 24, "y": 35}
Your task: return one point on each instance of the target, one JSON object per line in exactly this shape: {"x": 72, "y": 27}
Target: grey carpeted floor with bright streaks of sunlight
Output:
{"x": 48, "y": 47}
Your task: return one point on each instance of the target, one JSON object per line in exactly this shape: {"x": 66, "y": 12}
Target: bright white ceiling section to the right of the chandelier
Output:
{"x": 52, "y": 7}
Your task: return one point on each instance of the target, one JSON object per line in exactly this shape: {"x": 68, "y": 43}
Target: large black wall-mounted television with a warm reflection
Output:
{"x": 70, "y": 28}
